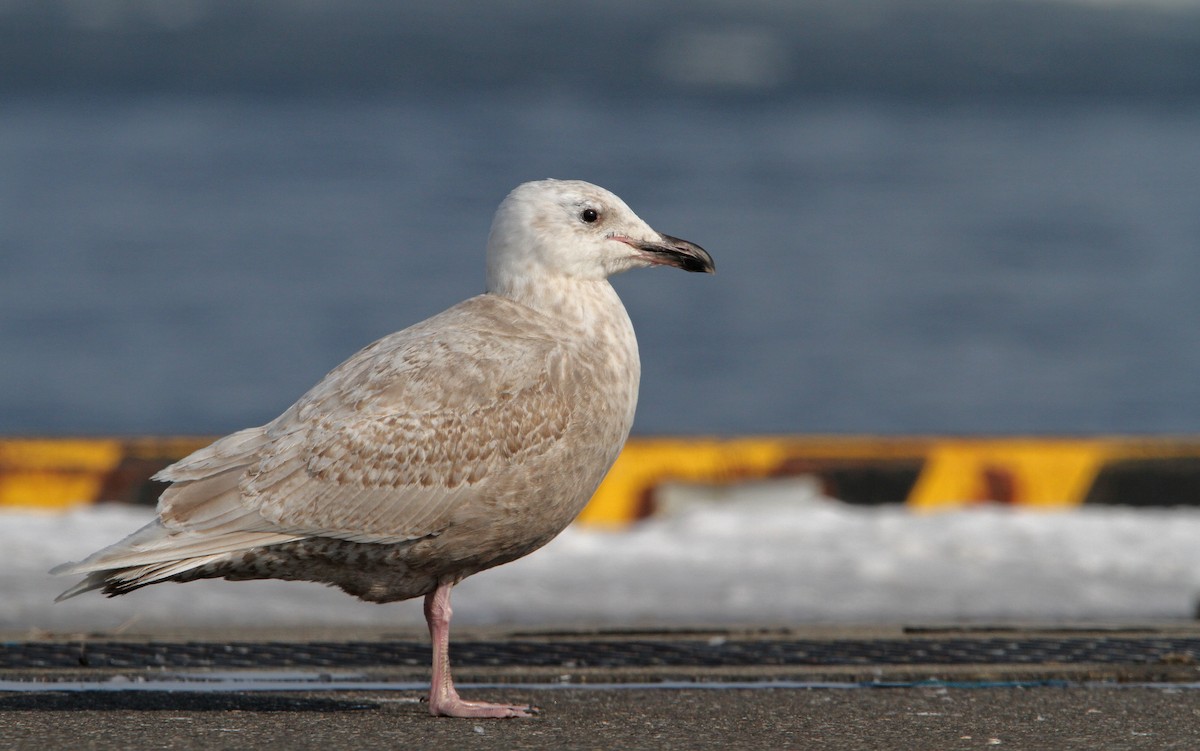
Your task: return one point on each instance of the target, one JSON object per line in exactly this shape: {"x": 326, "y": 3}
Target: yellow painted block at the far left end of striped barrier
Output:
{"x": 55, "y": 473}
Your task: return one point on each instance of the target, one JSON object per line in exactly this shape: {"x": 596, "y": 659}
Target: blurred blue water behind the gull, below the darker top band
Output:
{"x": 181, "y": 259}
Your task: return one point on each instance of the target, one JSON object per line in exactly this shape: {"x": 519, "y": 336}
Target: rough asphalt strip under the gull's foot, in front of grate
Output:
{"x": 1045, "y": 718}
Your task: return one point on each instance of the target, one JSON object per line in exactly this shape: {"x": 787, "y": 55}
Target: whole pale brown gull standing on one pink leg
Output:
{"x": 459, "y": 444}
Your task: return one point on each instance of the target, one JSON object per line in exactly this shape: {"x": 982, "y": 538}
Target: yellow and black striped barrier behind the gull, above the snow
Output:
{"x": 928, "y": 473}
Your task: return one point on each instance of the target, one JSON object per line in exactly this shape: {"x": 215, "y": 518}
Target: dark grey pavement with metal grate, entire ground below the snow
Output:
{"x": 1095, "y": 687}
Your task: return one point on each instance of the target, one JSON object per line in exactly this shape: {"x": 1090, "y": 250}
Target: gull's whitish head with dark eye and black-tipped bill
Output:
{"x": 556, "y": 230}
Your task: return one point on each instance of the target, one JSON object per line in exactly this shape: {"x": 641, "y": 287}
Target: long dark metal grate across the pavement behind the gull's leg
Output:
{"x": 605, "y": 653}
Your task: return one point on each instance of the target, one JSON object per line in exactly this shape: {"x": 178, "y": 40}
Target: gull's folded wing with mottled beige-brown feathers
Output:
{"x": 395, "y": 442}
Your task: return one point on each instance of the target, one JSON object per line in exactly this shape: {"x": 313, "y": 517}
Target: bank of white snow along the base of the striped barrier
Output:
{"x": 772, "y": 554}
